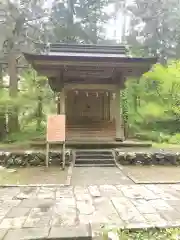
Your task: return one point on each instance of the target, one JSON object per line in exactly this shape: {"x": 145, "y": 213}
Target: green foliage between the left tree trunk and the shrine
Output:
{"x": 36, "y": 96}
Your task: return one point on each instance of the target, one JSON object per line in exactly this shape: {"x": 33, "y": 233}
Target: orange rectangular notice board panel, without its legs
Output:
{"x": 56, "y": 128}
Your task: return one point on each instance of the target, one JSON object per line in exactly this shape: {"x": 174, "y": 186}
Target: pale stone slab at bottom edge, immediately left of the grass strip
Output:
{"x": 79, "y": 232}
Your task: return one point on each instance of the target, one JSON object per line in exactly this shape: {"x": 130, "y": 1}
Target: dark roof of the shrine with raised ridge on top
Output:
{"x": 97, "y": 53}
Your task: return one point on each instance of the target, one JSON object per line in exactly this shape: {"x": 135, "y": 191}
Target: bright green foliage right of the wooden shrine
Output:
{"x": 153, "y": 104}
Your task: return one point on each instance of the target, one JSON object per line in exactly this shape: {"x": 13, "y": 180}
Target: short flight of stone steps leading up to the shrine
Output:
{"x": 94, "y": 158}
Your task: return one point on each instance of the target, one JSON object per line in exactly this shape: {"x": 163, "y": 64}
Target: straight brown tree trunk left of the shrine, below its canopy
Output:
{"x": 13, "y": 124}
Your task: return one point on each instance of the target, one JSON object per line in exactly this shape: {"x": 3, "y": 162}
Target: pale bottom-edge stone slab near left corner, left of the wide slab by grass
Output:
{"x": 27, "y": 234}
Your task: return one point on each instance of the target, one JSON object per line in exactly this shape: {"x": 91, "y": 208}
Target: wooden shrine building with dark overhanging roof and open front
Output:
{"x": 89, "y": 79}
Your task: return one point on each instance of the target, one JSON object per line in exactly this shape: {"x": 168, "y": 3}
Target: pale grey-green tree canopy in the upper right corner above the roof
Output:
{"x": 154, "y": 28}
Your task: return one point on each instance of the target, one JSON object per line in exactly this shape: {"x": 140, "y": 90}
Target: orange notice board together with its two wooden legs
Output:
{"x": 55, "y": 135}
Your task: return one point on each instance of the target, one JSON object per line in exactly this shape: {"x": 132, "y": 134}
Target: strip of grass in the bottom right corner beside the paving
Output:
{"x": 149, "y": 234}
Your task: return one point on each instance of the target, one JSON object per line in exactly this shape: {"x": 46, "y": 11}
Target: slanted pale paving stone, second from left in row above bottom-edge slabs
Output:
{"x": 39, "y": 217}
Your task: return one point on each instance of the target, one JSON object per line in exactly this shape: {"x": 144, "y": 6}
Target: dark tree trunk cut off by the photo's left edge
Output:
{"x": 3, "y": 128}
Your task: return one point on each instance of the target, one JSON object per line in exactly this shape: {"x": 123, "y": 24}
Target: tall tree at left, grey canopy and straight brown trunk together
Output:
{"x": 21, "y": 23}
